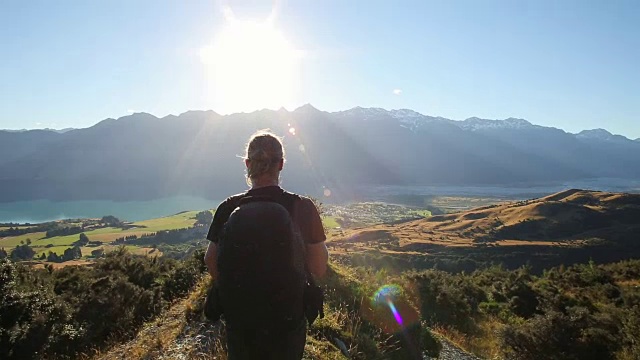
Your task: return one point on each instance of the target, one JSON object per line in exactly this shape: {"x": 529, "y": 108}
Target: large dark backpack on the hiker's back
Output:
{"x": 261, "y": 266}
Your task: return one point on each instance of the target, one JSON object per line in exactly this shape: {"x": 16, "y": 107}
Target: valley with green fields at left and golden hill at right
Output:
{"x": 567, "y": 227}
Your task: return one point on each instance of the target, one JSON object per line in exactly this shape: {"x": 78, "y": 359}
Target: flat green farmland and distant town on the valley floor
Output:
{"x": 177, "y": 235}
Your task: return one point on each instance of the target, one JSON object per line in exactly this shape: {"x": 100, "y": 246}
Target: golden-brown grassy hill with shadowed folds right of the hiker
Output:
{"x": 570, "y": 226}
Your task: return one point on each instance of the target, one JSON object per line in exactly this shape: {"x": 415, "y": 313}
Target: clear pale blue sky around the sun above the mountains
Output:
{"x": 568, "y": 64}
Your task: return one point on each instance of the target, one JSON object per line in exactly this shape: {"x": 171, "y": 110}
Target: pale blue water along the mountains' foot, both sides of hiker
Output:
{"x": 46, "y": 210}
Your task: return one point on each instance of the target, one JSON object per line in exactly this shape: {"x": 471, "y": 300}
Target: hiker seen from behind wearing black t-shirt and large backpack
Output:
{"x": 265, "y": 244}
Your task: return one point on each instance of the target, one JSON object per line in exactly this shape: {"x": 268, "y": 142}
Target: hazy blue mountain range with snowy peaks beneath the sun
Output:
{"x": 141, "y": 156}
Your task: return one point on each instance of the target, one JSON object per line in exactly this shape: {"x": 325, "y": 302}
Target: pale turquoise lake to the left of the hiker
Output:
{"x": 45, "y": 210}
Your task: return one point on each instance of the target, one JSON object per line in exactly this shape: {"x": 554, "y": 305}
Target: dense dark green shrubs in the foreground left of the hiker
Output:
{"x": 62, "y": 313}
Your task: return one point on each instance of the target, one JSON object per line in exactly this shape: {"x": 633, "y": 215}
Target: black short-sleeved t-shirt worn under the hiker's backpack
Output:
{"x": 305, "y": 214}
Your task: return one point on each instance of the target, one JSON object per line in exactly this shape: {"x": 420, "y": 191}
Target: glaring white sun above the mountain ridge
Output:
{"x": 252, "y": 66}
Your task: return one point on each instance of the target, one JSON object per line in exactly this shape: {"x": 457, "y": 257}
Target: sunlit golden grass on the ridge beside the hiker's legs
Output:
{"x": 352, "y": 328}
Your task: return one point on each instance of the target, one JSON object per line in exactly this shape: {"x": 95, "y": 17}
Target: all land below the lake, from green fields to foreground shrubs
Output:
{"x": 502, "y": 280}
